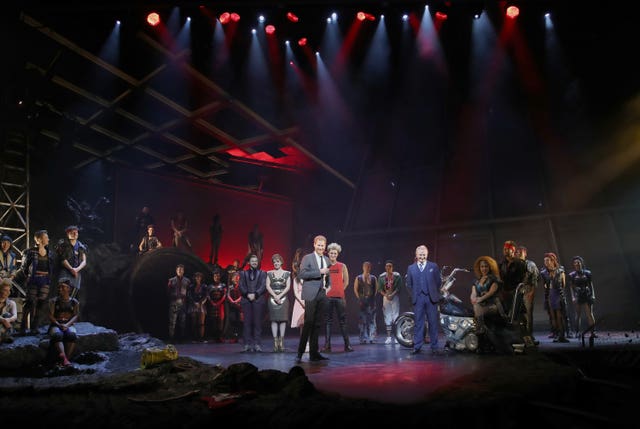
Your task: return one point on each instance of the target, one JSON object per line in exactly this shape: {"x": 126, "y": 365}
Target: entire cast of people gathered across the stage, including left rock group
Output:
{"x": 234, "y": 303}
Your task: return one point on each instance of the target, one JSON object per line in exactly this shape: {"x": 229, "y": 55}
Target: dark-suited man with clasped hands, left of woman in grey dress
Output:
{"x": 253, "y": 288}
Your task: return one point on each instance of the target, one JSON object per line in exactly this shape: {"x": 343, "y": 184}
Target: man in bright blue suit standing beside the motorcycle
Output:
{"x": 424, "y": 282}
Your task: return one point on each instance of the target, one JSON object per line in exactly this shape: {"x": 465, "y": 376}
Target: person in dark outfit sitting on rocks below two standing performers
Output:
{"x": 63, "y": 313}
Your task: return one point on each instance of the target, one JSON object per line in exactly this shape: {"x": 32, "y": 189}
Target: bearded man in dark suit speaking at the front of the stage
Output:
{"x": 314, "y": 272}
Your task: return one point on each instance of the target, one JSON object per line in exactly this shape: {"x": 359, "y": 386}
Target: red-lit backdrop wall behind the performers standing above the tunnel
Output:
{"x": 238, "y": 210}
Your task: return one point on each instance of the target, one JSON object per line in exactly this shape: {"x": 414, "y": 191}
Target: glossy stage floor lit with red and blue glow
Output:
{"x": 388, "y": 373}
